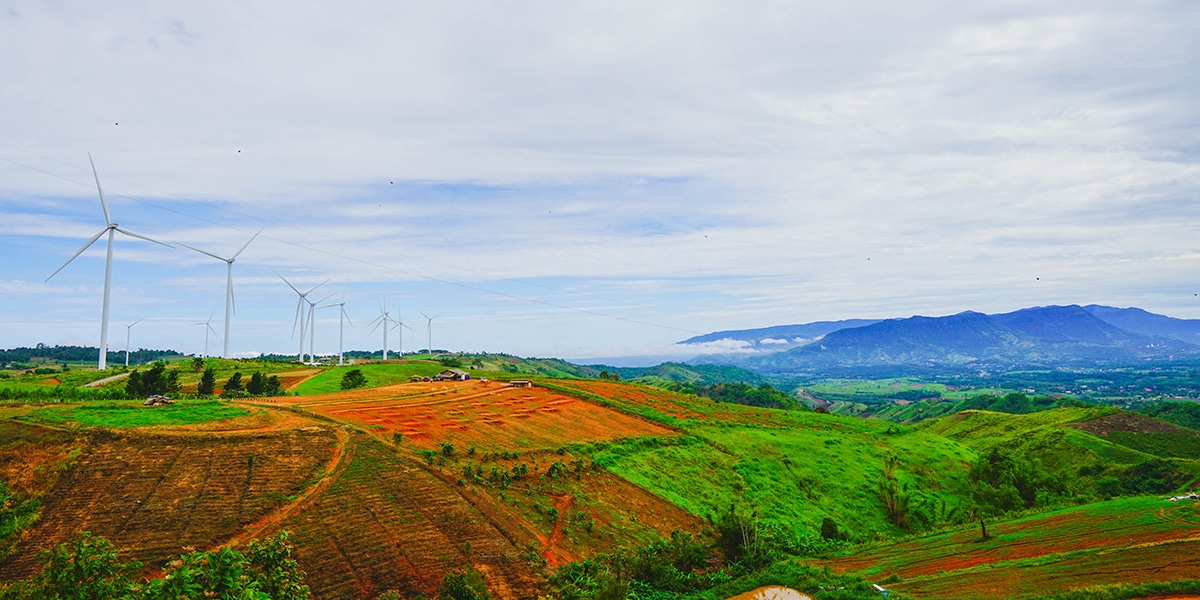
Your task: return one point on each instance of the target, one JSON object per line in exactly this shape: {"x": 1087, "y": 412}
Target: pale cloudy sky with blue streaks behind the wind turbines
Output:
{"x": 592, "y": 179}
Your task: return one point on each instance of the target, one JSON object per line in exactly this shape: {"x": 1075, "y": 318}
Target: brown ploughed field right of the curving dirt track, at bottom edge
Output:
{"x": 387, "y": 524}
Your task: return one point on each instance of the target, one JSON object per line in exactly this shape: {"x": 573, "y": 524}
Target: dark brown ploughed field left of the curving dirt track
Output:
{"x": 154, "y": 495}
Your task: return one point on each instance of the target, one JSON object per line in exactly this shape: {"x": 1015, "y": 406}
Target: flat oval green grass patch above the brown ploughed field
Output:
{"x": 134, "y": 415}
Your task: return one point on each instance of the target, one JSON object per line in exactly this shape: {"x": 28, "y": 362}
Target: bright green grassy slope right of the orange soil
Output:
{"x": 821, "y": 466}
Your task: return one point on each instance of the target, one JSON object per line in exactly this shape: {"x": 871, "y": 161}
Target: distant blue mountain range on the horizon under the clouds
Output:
{"x": 1046, "y": 337}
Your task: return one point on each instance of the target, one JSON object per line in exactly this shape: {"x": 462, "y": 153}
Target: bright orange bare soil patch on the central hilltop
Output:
{"x": 477, "y": 415}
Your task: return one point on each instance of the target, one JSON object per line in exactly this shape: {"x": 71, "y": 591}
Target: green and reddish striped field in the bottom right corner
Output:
{"x": 1129, "y": 541}
